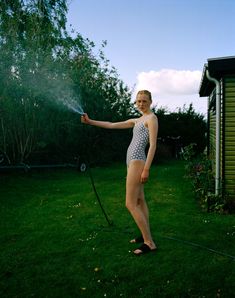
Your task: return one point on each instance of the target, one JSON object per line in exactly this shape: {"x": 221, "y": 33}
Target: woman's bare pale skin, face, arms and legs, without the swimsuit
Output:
{"x": 138, "y": 170}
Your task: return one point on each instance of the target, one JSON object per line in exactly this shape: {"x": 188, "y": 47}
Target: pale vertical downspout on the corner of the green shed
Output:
{"x": 217, "y": 146}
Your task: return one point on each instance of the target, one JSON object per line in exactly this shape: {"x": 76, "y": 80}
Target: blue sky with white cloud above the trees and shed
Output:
{"x": 159, "y": 45}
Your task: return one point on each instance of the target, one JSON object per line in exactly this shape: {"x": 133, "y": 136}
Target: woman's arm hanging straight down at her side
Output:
{"x": 153, "y": 131}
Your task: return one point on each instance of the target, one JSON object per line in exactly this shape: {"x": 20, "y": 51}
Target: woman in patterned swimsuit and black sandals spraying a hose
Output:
{"x": 145, "y": 130}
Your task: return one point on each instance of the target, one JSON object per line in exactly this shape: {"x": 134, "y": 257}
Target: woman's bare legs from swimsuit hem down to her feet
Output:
{"x": 135, "y": 201}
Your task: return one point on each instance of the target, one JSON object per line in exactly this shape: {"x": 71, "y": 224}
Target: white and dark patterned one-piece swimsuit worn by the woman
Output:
{"x": 140, "y": 139}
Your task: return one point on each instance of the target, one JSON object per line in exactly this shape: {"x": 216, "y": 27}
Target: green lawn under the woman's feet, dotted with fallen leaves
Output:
{"x": 55, "y": 241}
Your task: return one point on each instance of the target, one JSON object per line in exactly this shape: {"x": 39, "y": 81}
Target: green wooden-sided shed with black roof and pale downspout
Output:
{"x": 218, "y": 84}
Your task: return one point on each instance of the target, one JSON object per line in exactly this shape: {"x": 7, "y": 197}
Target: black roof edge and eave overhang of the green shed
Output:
{"x": 218, "y": 67}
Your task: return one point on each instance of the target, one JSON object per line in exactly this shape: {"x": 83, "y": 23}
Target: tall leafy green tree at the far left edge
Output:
{"x": 29, "y": 31}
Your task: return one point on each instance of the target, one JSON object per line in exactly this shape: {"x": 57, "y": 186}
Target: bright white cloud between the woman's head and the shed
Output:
{"x": 173, "y": 88}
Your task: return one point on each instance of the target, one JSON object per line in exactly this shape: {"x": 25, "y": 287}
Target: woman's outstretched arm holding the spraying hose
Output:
{"x": 109, "y": 125}
